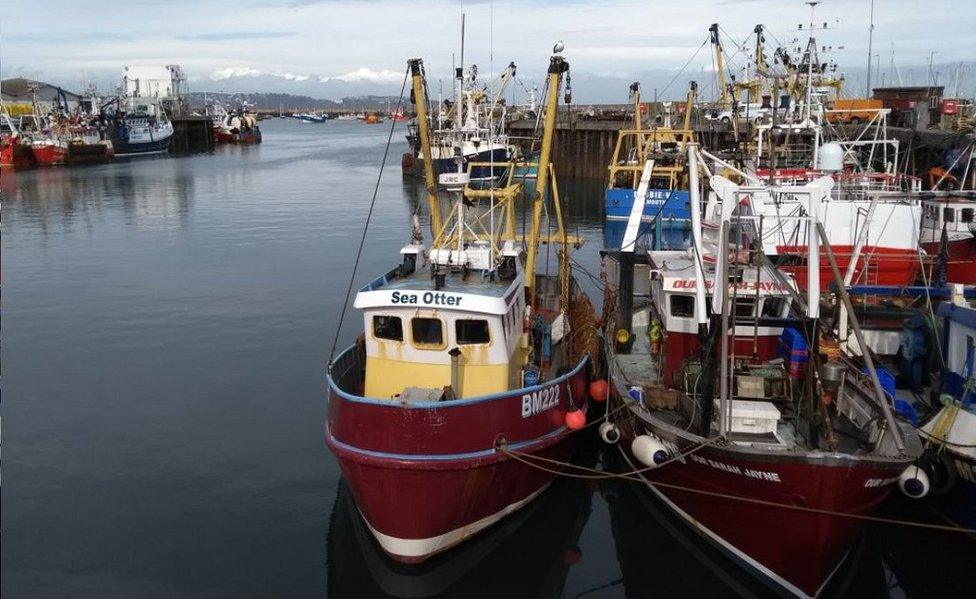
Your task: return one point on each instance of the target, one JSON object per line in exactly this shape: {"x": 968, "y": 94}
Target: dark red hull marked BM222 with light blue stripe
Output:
{"x": 428, "y": 476}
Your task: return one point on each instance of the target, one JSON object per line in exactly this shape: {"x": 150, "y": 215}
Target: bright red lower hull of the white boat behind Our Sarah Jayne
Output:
{"x": 885, "y": 266}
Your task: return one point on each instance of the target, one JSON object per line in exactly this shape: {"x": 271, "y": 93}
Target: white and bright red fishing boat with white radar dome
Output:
{"x": 872, "y": 215}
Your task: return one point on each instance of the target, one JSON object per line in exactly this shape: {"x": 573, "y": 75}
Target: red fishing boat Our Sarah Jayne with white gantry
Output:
{"x": 770, "y": 467}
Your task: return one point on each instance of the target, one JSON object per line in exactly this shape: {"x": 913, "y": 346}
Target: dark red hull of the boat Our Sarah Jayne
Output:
{"x": 797, "y": 551}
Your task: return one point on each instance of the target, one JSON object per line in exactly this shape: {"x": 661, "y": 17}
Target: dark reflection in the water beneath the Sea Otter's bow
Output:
{"x": 528, "y": 554}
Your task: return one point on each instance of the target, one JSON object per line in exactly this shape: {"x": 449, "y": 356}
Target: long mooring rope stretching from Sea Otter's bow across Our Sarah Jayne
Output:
{"x": 595, "y": 474}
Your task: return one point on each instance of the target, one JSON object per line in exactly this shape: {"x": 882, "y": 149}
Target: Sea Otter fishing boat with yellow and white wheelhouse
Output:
{"x": 468, "y": 353}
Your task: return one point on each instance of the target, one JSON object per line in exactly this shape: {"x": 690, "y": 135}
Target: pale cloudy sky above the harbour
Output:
{"x": 328, "y": 48}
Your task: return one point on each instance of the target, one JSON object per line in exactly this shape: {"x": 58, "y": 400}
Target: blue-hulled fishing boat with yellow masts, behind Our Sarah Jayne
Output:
{"x": 650, "y": 161}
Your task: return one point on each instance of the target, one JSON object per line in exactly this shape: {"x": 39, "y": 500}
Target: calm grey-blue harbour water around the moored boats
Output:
{"x": 167, "y": 325}
